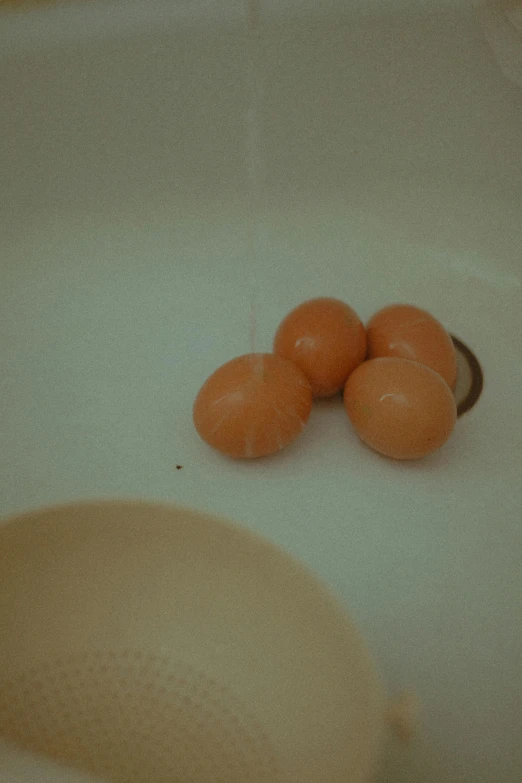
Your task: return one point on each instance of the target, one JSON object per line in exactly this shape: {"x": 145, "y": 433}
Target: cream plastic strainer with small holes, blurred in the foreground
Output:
{"x": 151, "y": 644}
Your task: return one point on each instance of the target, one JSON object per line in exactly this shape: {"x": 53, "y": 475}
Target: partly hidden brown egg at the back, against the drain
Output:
{"x": 411, "y": 333}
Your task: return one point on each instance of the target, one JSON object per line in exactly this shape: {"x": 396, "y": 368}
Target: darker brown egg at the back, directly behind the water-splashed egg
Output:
{"x": 326, "y": 339}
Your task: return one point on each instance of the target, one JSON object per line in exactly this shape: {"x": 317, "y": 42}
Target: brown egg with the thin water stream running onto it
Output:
{"x": 253, "y": 406}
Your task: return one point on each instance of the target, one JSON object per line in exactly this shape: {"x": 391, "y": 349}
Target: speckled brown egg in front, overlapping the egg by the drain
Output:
{"x": 400, "y": 408}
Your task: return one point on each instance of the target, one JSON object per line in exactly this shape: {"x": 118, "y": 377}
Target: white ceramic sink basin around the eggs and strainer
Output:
{"x": 393, "y": 153}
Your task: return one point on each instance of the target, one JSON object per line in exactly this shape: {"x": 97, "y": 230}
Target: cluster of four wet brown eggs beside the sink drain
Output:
{"x": 396, "y": 375}
